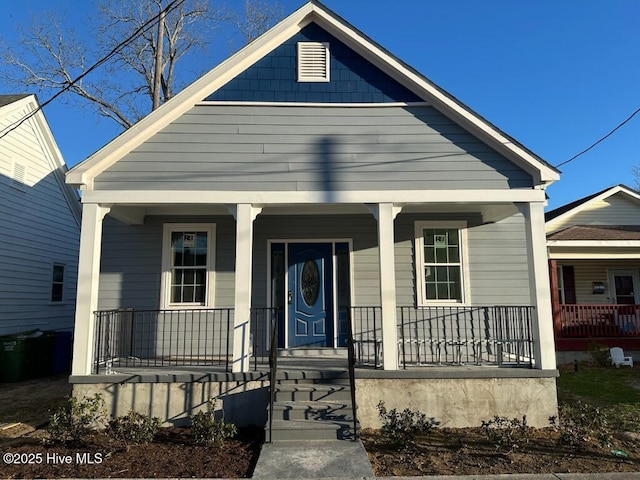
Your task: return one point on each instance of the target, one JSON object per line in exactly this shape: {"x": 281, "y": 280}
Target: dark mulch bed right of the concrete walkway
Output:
{"x": 467, "y": 451}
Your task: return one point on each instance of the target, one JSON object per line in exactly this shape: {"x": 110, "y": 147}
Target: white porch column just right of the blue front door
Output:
{"x": 385, "y": 214}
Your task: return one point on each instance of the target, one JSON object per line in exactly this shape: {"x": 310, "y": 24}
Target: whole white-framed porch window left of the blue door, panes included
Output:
{"x": 187, "y": 279}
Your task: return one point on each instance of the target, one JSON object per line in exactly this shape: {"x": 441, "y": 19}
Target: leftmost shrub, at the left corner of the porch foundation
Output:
{"x": 74, "y": 420}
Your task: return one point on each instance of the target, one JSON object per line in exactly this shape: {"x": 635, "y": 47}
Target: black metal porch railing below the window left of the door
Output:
{"x": 163, "y": 338}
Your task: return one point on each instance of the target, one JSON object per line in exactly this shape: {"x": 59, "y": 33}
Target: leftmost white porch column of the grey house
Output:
{"x": 88, "y": 286}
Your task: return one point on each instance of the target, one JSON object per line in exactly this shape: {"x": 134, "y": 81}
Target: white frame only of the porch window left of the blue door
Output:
{"x": 165, "y": 294}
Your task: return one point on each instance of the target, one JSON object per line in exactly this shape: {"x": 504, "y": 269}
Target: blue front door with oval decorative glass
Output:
{"x": 310, "y": 295}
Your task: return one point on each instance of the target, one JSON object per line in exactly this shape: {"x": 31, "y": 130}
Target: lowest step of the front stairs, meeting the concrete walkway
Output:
{"x": 288, "y": 430}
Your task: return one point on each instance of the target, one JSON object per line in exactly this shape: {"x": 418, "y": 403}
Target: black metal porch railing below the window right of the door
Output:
{"x": 470, "y": 335}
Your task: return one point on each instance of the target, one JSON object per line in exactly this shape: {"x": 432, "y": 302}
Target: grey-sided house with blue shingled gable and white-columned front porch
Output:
{"x": 310, "y": 189}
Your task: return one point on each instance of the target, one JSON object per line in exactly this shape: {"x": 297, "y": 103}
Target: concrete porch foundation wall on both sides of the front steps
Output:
{"x": 454, "y": 402}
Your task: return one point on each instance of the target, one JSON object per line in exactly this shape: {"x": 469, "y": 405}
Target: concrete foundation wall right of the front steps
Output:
{"x": 460, "y": 402}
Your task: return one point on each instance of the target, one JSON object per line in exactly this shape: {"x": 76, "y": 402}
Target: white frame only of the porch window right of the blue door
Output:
{"x": 421, "y": 292}
